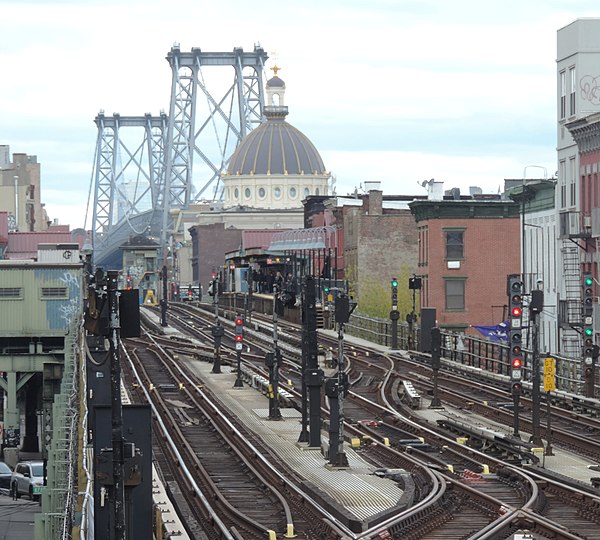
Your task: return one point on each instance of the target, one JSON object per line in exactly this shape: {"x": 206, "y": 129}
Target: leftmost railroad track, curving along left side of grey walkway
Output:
{"x": 242, "y": 497}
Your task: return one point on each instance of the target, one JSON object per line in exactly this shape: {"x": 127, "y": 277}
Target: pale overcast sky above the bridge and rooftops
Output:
{"x": 399, "y": 91}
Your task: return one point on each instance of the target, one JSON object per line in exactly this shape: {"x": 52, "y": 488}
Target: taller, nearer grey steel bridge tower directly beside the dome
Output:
{"x": 211, "y": 134}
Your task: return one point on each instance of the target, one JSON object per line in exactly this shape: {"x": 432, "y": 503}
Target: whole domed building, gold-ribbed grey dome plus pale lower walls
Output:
{"x": 273, "y": 169}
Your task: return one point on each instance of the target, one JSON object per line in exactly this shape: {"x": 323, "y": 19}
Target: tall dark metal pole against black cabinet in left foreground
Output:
{"x": 116, "y": 406}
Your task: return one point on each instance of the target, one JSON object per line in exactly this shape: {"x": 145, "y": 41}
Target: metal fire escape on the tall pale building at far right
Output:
{"x": 576, "y": 235}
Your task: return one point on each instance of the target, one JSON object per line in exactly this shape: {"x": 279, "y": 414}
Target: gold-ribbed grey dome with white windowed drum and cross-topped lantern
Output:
{"x": 275, "y": 166}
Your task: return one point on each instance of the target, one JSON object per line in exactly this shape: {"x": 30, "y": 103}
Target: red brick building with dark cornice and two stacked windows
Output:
{"x": 467, "y": 246}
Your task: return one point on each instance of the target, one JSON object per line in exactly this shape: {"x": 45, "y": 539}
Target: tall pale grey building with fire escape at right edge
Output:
{"x": 578, "y": 69}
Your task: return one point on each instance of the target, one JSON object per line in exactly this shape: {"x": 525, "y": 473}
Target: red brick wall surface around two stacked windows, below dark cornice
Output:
{"x": 491, "y": 252}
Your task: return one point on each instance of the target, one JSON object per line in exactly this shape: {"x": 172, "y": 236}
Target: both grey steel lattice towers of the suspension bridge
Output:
{"x": 152, "y": 168}
